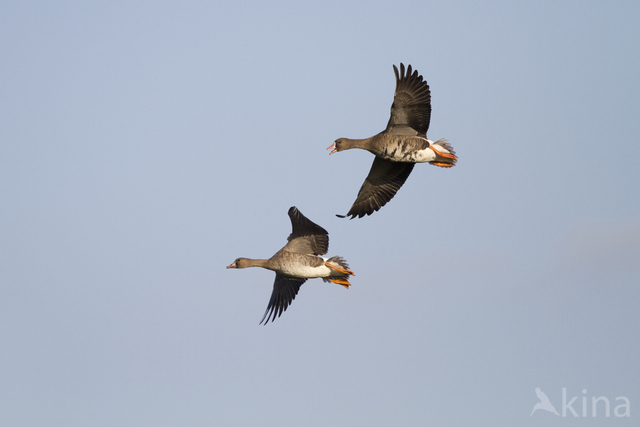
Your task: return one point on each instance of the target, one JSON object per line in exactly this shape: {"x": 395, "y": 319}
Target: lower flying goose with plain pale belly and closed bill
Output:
{"x": 298, "y": 261}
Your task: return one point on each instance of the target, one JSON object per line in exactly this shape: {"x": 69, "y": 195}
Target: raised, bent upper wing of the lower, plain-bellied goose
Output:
{"x": 307, "y": 237}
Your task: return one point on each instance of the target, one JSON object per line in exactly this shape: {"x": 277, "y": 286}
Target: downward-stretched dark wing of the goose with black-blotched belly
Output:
{"x": 384, "y": 180}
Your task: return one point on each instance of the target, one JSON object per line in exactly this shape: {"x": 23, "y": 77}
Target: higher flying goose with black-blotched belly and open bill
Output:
{"x": 400, "y": 146}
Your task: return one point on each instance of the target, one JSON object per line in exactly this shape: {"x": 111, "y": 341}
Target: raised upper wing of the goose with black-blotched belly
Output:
{"x": 411, "y": 108}
